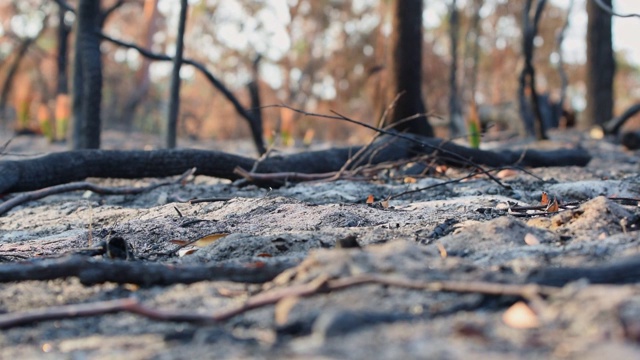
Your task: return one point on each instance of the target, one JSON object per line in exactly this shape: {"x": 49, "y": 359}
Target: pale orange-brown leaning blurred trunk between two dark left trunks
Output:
{"x": 142, "y": 81}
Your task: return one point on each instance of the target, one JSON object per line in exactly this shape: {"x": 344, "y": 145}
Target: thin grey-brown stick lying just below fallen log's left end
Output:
{"x": 84, "y": 185}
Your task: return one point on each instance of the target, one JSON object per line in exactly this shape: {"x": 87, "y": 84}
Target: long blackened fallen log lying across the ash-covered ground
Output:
{"x": 65, "y": 167}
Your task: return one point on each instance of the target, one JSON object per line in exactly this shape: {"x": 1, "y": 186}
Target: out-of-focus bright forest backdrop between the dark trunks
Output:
{"x": 314, "y": 55}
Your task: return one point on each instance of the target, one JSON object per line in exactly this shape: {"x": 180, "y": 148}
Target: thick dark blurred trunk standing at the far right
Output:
{"x": 600, "y": 65}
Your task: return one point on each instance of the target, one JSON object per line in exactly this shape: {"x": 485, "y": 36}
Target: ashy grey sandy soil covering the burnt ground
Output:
{"x": 461, "y": 232}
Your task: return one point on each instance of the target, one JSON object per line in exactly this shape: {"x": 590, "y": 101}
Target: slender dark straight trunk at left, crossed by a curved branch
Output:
{"x": 174, "y": 96}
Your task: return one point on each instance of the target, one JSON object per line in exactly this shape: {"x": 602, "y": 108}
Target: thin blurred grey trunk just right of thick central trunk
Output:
{"x": 456, "y": 122}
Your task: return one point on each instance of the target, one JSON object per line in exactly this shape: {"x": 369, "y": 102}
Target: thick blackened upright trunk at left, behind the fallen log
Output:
{"x": 87, "y": 79}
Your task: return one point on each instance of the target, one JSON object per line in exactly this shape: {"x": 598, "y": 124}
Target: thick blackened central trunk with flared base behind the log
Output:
{"x": 407, "y": 68}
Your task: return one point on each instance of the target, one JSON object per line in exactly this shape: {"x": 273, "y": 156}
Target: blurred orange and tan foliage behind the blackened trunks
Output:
{"x": 337, "y": 59}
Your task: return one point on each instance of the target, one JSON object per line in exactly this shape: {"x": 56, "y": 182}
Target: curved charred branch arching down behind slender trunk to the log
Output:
{"x": 255, "y": 127}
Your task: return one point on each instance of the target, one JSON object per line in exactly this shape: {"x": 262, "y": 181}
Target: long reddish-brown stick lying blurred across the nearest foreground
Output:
{"x": 321, "y": 284}
